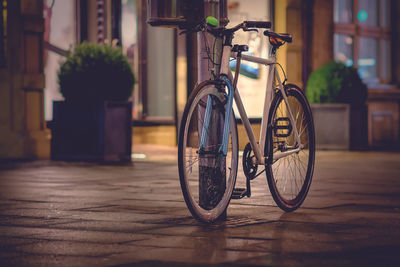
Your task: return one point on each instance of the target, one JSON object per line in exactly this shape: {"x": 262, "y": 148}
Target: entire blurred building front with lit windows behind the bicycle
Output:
{"x": 36, "y": 34}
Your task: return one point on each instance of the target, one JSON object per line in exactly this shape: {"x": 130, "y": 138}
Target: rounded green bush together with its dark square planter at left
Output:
{"x": 94, "y": 121}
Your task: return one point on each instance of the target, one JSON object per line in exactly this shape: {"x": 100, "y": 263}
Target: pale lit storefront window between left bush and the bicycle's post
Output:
{"x": 154, "y": 90}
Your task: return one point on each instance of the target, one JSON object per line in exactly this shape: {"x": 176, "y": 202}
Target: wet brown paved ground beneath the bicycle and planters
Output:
{"x": 83, "y": 214}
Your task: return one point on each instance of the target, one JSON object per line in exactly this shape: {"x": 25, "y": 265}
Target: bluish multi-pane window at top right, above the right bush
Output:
{"x": 364, "y": 42}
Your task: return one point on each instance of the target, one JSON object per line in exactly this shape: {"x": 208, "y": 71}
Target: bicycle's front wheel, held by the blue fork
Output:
{"x": 207, "y": 177}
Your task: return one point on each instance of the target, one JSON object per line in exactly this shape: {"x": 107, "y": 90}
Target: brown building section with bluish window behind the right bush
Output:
{"x": 359, "y": 33}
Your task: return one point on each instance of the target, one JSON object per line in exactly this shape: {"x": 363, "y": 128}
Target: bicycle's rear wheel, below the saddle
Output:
{"x": 289, "y": 174}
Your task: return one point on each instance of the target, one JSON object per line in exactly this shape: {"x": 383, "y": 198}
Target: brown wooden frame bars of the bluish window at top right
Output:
{"x": 357, "y": 30}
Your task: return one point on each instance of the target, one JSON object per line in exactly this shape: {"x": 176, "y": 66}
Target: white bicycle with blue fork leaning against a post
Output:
{"x": 208, "y": 138}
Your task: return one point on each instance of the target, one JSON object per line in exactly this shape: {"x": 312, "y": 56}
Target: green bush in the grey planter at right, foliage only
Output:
{"x": 336, "y": 83}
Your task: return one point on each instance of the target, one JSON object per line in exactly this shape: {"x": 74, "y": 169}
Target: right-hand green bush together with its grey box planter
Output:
{"x": 337, "y": 96}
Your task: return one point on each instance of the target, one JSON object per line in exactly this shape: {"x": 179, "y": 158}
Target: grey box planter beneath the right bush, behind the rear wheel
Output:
{"x": 339, "y": 126}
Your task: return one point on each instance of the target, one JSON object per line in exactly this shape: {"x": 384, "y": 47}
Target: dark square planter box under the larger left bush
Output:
{"x": 100, "y": 132}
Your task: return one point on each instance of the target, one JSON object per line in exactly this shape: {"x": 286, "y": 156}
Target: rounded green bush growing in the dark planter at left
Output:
{"x": 94, "y": 73}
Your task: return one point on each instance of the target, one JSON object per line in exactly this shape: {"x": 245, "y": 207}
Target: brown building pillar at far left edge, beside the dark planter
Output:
{"x": 22, "y": 126}
